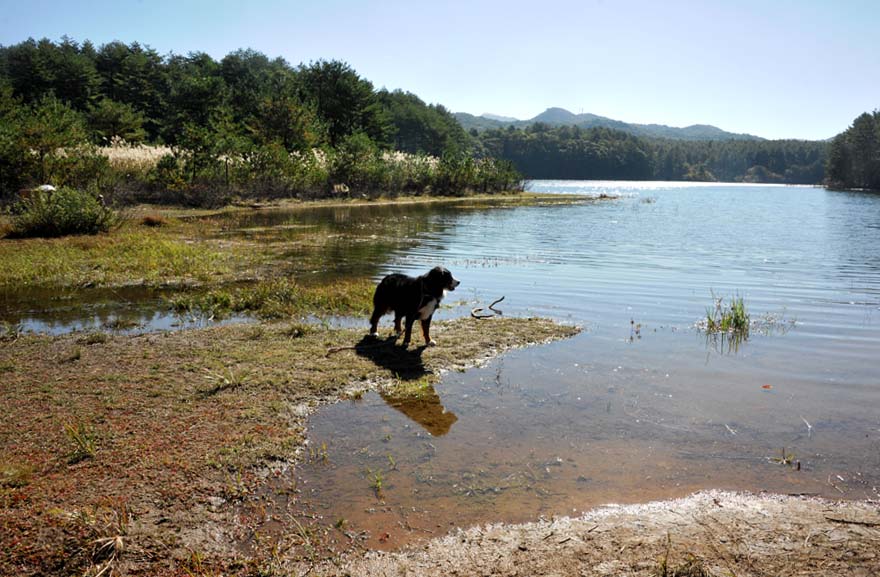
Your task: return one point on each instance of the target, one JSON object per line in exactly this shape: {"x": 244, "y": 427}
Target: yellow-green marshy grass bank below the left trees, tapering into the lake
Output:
{"x": 171, "y": 246}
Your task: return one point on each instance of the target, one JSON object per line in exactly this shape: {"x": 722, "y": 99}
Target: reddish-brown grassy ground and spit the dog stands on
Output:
{"x": 178, "y": 415}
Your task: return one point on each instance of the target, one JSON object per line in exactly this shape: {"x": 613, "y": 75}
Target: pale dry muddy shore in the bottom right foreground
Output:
{"x": 708, "y": 533}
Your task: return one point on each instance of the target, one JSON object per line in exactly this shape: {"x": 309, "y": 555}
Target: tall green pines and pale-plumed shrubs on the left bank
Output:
{"x": 245, "y": 123}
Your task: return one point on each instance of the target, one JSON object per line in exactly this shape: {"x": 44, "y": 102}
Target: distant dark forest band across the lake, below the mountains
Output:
{"x": 542, "y": 151}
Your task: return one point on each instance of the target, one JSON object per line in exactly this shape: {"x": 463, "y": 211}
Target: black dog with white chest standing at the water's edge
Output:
{"x": 411, "y": 298}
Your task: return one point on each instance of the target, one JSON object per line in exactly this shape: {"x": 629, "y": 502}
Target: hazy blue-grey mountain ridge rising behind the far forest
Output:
{"x": 563, "y": 117}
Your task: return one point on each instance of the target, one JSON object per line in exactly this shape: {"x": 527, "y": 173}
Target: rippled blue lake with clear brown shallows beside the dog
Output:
{"x": 641, "y": 405}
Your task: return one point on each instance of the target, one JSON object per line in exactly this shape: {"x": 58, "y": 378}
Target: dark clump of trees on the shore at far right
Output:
{"x": 854, "y": 155}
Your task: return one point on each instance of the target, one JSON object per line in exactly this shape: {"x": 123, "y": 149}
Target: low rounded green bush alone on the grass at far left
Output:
{"x": 60, "y": 212}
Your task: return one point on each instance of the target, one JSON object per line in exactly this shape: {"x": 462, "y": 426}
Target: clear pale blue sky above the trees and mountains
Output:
{"x": 774, "y": 68}
